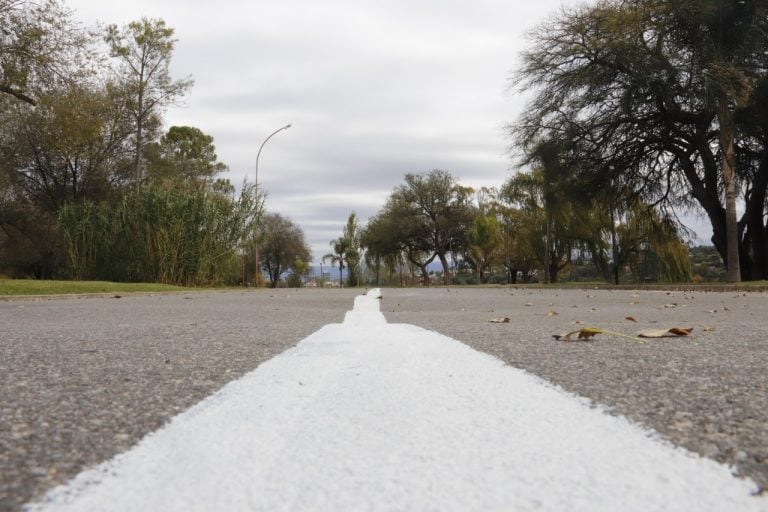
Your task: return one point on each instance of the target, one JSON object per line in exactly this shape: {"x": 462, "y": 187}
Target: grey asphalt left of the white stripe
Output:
{"x": 84, "y": 379}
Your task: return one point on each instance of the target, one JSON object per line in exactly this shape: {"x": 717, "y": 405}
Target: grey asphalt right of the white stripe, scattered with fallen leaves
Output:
{"x": 707, "y": 393}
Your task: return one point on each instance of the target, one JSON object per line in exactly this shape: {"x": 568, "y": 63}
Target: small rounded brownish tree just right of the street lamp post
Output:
{"x": 282, "y": 244}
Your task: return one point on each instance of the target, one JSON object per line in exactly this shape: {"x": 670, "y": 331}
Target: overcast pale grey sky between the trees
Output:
{"x": 374, "y": 89}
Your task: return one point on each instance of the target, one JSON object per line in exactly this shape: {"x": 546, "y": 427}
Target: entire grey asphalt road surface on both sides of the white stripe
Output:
{"x": 84, "y": 379}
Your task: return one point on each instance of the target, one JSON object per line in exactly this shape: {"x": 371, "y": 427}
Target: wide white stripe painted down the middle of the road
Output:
{"x": 373, "y": 416}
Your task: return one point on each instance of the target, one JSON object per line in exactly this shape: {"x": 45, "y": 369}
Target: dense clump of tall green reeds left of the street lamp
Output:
{"x": 174, "y": 236}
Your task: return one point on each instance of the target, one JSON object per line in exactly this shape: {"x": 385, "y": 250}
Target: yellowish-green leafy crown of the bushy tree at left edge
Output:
{"x": 71, "y": 147}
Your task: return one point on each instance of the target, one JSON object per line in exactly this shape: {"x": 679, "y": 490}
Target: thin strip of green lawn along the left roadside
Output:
{"x": 42, "y": 287}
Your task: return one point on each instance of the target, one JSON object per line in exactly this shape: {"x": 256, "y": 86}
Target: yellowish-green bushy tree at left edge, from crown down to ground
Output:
{"x": 69, "y": 148}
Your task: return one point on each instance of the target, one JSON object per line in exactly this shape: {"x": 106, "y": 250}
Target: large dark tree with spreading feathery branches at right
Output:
{"x": 647, "y": 93}
